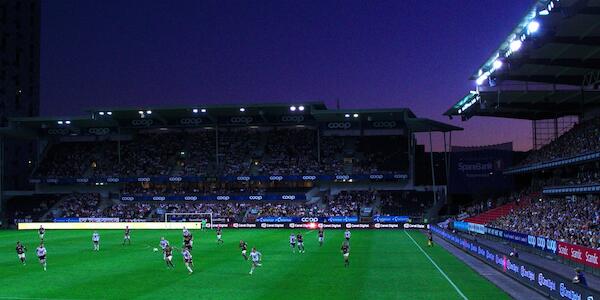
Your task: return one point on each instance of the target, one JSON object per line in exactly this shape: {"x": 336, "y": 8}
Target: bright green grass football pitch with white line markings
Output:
{"x": 383, "y": 265}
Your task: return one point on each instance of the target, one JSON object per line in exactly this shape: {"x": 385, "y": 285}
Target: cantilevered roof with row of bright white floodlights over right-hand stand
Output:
{"x": 551, "y": 57}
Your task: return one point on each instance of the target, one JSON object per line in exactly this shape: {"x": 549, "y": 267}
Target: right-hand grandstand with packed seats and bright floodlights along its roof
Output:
{"x": 547, "y": 72}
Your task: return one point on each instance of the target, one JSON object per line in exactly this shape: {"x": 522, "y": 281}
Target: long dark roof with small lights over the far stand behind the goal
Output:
{"x": 202, "y": 116}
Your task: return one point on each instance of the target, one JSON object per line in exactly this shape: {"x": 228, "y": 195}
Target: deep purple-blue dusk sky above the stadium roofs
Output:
{"x": 369, "y": 54}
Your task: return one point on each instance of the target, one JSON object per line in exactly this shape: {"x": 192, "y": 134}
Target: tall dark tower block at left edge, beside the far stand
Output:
{"x": 19, "y": 83}
